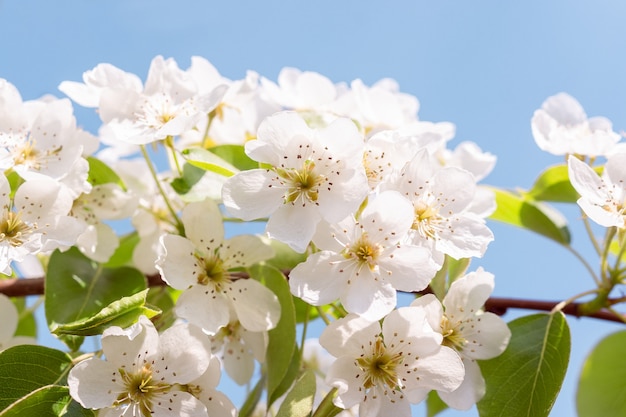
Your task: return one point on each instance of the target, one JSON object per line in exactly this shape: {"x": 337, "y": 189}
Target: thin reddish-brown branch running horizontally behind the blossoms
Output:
{"x": 499, "y": 305}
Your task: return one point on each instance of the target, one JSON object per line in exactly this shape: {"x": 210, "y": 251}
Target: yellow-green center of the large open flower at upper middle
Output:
{"x": 301, "y": 183}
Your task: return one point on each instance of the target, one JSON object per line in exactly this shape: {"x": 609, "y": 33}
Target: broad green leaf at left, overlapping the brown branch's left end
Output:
{"x": 78, "y": 288}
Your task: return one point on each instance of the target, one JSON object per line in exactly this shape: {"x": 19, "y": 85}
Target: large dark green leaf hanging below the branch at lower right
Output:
{"x": 525, "y": 380}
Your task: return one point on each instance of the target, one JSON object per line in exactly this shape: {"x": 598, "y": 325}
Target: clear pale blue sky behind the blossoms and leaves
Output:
{"x": 484, "y": 65}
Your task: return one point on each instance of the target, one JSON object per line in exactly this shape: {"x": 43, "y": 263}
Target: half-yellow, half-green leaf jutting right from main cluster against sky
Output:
{"x": 534, "y": 216}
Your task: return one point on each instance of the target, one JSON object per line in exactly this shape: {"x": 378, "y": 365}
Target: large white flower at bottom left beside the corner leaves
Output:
{"x": 147, "y": 375}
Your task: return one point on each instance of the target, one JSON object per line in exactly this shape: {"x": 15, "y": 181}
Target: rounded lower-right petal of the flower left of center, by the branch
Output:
{"x": 256, "y": 306}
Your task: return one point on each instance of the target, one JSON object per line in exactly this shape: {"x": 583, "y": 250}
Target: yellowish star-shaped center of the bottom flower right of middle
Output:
{"x": 380, "y": 367}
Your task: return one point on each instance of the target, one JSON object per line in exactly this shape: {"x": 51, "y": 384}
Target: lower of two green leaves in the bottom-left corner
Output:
{"x": 47, "y": 401}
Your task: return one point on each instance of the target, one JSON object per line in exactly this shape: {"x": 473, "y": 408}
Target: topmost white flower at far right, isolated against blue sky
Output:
{"x": 561, "y": 127}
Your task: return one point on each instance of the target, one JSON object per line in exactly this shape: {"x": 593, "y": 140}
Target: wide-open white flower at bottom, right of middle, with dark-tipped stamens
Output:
{"x": 385, "y": 368}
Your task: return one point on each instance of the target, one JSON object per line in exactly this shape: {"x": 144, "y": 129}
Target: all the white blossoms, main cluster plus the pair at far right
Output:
{"x": 345, "y": 174}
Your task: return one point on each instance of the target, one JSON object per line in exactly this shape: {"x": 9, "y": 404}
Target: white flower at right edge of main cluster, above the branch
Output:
{"x": 441, "y": 198}
